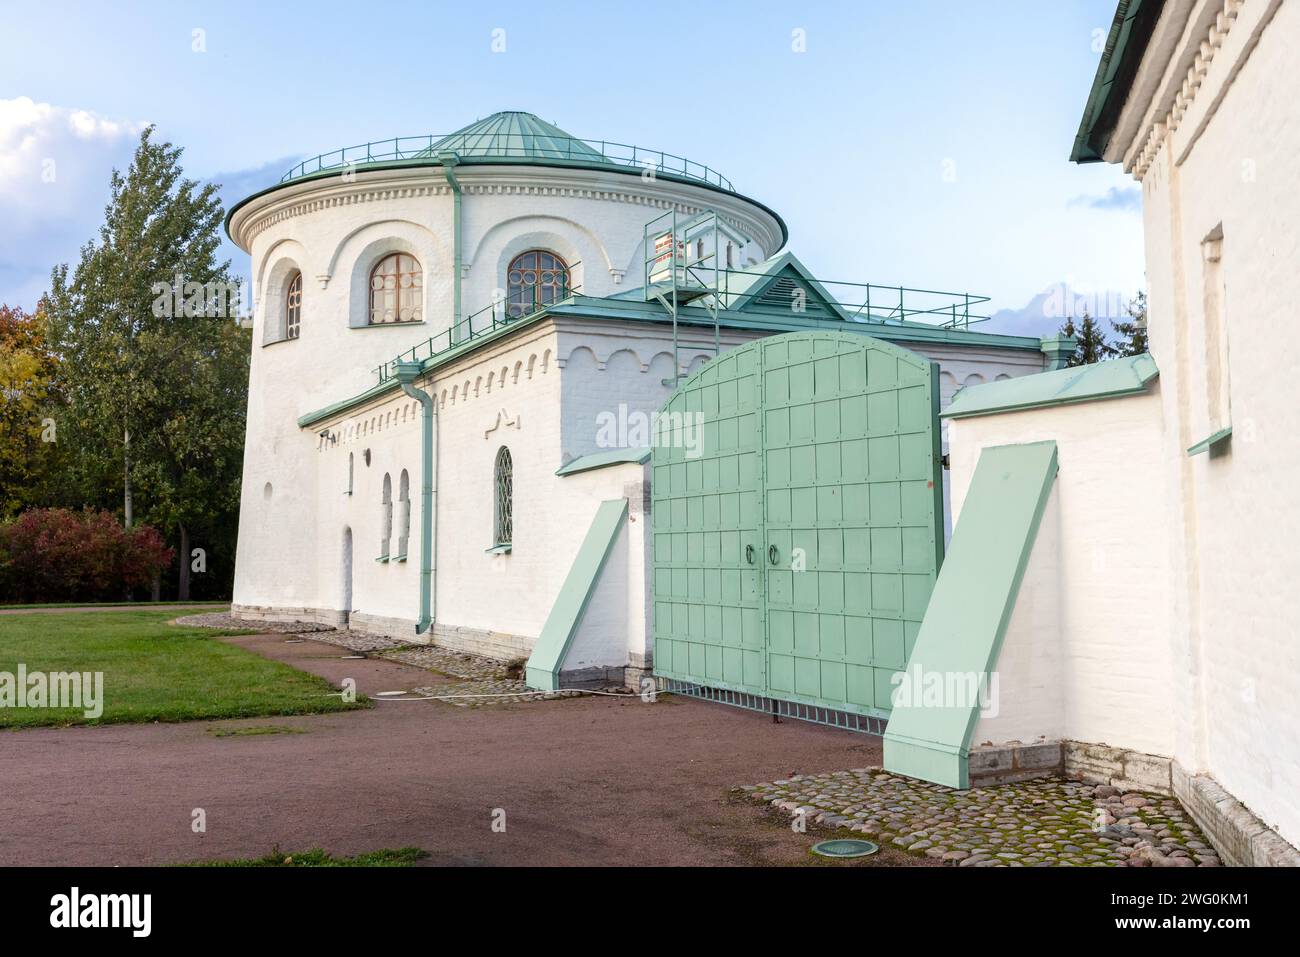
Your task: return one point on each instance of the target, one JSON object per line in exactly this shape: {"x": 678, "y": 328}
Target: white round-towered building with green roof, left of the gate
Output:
{"x": 506, "y": 261}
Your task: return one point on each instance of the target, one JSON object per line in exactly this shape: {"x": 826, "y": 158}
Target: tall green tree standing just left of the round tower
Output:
{"x": 161, "y": 369}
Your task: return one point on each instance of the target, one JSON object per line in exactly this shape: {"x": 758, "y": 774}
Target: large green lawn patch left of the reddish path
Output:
{"x": 154, "y": 672}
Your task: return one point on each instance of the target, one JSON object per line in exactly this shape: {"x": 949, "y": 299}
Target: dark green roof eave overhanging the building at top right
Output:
{"x": 1130, "y": 32}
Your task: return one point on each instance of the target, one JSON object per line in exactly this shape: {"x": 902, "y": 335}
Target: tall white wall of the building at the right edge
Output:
{"x": 1224, "y": 162}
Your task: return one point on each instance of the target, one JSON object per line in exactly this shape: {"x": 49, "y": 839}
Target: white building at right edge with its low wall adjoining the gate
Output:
{"x": 1155, "y": 630}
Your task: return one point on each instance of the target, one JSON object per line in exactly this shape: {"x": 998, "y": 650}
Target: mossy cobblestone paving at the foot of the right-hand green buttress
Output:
{"x": 1047, "y": 822}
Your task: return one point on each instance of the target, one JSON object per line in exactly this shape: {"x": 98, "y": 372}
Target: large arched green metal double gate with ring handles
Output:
{"x": 798, "y": 538}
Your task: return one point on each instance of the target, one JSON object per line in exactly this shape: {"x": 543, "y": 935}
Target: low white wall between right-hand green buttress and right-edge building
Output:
{"x": 1097, "y": 591}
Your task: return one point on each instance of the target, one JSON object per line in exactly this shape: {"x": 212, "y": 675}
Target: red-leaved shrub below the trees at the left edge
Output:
{"x": 60, "y": 556}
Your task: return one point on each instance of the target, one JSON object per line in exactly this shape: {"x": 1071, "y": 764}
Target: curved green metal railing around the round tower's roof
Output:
{"x": 504, "y": 146}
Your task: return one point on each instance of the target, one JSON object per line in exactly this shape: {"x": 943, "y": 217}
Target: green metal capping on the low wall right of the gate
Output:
{"x": 1110, "y": 380}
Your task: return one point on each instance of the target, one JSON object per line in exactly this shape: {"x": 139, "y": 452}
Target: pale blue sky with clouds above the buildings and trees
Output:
{"x": 922, "y": 144}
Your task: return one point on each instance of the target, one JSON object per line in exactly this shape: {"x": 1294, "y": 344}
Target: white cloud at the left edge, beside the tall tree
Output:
{"x": 55, "y": 164}
